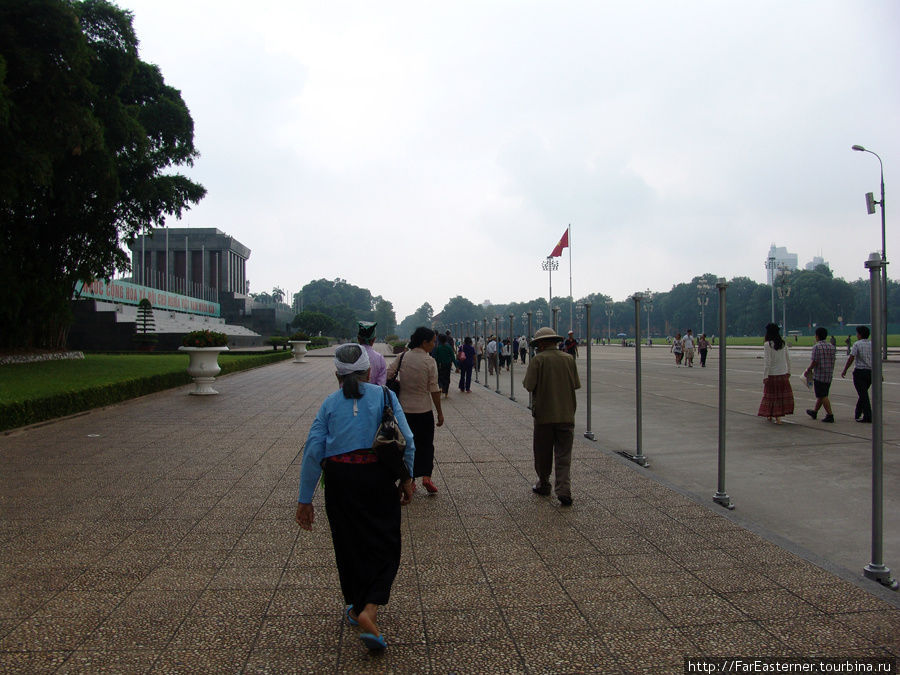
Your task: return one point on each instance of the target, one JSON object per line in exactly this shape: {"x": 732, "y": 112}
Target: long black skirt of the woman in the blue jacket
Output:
{"x": 363, "y": 507}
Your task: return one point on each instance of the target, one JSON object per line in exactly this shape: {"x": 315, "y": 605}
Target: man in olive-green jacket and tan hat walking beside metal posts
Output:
{"x": 552, "y": 378}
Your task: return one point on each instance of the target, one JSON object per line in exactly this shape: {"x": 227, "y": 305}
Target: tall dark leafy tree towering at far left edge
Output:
{"x": 88, "y": 135}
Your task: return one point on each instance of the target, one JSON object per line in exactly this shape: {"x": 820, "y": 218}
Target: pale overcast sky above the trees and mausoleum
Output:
{"x": 425, "y": 150}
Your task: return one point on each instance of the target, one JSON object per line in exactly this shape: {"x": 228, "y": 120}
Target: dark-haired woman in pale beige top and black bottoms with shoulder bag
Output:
{"x": 419, "y": 390}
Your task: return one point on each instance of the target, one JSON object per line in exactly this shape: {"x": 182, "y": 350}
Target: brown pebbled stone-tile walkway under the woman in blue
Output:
{"x": 158, "y": 536}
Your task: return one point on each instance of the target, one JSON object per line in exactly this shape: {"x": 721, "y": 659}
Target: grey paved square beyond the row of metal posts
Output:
{"x": 805, "y": 481}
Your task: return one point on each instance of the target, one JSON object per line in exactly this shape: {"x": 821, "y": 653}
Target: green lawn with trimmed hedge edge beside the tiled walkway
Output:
{"x": 33, "y": 392}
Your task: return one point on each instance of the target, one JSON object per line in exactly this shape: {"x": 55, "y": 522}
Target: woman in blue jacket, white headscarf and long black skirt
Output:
{"x": 361, "y": 499}
